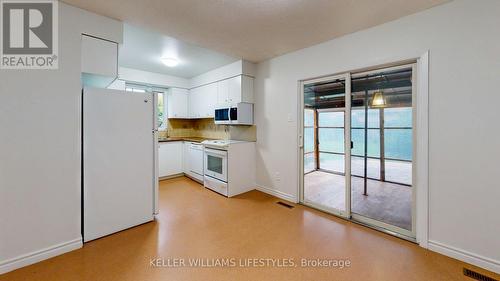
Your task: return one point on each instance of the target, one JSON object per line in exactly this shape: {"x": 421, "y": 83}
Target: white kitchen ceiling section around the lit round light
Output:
{"x": 142, "y": 49}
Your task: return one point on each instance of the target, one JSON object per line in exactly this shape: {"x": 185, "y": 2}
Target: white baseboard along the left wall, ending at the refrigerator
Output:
{"x": 36, "y": 256}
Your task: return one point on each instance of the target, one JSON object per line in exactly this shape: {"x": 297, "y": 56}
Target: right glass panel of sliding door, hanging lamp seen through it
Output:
{"x": 382, "y": 152}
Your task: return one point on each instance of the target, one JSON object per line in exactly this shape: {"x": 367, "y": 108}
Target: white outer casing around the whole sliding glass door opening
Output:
{"x": 421, "y": 139}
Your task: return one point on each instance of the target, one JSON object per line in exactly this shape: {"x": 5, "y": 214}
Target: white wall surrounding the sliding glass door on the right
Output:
{"x": 464, "y": 45}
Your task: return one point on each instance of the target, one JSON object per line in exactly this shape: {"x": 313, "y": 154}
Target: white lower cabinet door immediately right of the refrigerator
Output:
{"x": 170, "y": 159}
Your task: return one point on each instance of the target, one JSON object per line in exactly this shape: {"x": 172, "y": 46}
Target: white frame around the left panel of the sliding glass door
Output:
{"x": 346, "y": 214}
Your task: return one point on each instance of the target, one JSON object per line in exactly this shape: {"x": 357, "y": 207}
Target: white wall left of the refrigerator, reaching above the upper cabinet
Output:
{"x": 40, "y": 148}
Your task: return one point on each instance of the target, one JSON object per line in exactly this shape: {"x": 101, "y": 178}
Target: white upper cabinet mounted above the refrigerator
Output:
{"x": 99, "y": 57}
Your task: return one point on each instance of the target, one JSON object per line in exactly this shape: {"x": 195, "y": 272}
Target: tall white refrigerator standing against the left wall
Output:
{"x": 119, "y": 171}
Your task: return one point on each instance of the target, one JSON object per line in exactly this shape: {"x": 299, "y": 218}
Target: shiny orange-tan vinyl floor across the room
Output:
{"x": 195, "y": 223}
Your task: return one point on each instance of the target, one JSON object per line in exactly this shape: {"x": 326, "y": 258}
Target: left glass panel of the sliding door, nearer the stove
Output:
{"x": 324, "y": 149}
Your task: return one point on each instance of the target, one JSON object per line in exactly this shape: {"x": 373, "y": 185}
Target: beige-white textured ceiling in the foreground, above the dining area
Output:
{"x": 255, "y": 29}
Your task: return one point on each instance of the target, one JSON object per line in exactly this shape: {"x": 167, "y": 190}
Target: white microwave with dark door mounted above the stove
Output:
{"x": 238, "y": 114}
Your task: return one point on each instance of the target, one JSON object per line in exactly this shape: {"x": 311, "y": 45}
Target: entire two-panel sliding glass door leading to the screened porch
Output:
{"x": 357, "y": 152}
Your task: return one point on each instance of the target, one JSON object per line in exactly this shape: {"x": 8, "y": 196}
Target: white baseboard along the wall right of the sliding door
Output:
{"x": 465, "y": 256}
